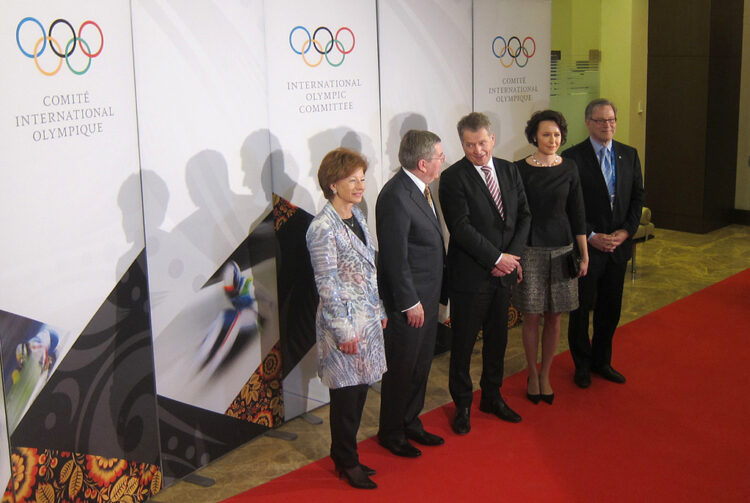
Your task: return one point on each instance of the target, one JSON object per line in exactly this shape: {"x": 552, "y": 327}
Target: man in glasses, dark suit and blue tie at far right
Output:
{"x": 613, "y": 195}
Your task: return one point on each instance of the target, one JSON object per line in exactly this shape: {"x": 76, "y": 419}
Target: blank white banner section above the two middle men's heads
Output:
{"x": 425, "y": 72}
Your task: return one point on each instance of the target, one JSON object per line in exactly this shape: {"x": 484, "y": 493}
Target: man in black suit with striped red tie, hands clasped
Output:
{"x": 485, "y": 210}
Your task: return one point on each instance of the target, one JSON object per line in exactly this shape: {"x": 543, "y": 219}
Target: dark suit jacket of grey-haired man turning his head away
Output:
{"x": 410, "y": 238}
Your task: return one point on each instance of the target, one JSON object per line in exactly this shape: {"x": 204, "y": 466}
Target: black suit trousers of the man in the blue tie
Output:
{"x": 600, "y": 290}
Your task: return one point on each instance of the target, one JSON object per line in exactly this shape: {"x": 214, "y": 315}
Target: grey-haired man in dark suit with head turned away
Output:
{"x": 410, "y": 273}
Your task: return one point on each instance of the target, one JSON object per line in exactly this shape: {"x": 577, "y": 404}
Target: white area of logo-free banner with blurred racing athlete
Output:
{"x": 205, "y": 155}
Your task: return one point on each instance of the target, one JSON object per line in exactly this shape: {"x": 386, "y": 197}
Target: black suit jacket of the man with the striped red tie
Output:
{"x": 477, "y": 233}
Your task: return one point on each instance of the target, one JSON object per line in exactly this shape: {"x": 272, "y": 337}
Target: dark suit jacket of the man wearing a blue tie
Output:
{"x": 626, "y": 214}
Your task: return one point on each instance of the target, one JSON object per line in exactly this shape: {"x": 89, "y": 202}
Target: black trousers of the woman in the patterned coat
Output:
{"x": 345, "y": 412}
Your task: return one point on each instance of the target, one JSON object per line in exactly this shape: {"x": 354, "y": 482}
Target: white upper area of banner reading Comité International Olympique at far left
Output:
{"x": 71, "y": 224}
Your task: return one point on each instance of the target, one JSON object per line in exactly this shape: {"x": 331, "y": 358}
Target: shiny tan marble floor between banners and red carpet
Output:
{"x": 670, "y": 267}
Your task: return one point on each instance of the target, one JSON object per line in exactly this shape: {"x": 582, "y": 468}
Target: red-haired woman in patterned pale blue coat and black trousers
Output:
{"x": 350, "y": 317}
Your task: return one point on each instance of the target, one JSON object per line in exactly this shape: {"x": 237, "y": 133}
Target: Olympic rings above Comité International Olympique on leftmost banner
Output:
{"x": 76, "y": 40}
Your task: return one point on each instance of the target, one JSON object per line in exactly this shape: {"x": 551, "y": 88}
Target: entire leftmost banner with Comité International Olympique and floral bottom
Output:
{"x": 77, "y": 358}
